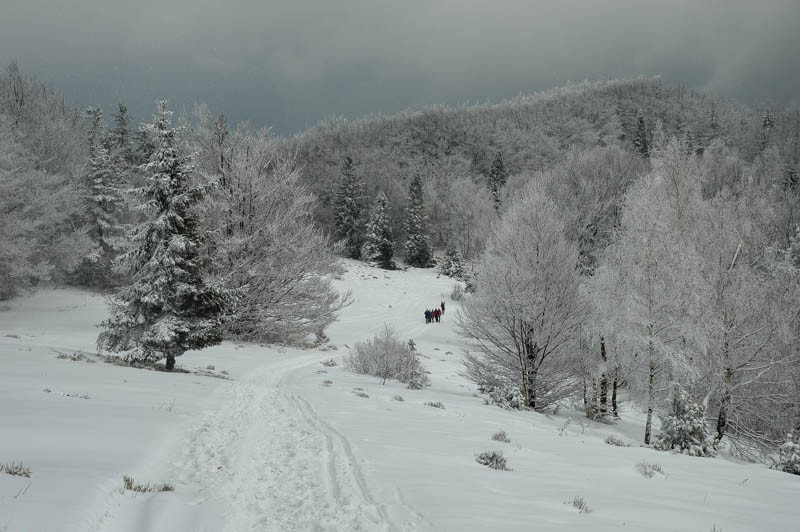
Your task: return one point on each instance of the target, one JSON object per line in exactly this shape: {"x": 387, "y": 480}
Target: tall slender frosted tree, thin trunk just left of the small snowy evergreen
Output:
{"x": 647, "y": 284}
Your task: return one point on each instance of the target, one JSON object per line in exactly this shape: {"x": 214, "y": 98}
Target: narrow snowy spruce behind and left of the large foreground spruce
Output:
{"x": 104, "y": 206}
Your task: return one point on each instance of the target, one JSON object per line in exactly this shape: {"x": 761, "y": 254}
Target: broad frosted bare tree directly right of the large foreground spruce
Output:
{"x": 264, "y": 242}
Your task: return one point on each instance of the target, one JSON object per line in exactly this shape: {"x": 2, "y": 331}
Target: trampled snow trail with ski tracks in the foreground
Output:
{"x": 275, "y": 464}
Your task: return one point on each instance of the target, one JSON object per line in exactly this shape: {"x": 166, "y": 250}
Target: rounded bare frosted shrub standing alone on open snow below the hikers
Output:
{"x": 386, "y": 357}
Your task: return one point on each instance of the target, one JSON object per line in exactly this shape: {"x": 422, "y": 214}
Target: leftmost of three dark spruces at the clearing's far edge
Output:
{"x": 347, "y": 210}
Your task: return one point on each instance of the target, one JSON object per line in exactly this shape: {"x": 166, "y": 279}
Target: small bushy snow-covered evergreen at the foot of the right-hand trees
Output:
{"x": 685, "y": 430}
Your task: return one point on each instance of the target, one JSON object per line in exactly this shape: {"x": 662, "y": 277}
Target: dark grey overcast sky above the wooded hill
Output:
{"x": 288, "y": 64}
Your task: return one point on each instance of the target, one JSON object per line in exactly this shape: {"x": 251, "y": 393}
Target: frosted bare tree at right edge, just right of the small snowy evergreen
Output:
{"x": 746, "y": 368}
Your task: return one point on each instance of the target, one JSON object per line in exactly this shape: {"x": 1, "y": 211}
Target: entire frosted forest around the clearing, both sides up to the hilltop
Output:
{"x": 618, "y": 238}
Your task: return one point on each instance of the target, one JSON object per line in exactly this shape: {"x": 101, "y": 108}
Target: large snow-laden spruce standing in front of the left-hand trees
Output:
{"x": 167, "y": 308}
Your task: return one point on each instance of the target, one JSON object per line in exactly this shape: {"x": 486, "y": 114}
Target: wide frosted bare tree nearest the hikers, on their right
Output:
{"x": 520, "y": 323}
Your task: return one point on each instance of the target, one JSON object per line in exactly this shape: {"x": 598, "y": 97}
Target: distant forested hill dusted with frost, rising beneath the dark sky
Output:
{"x": 455, "y": 149}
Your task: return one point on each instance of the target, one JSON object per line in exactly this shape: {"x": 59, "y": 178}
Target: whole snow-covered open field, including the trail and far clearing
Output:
{"x": 276, "y": 447}
